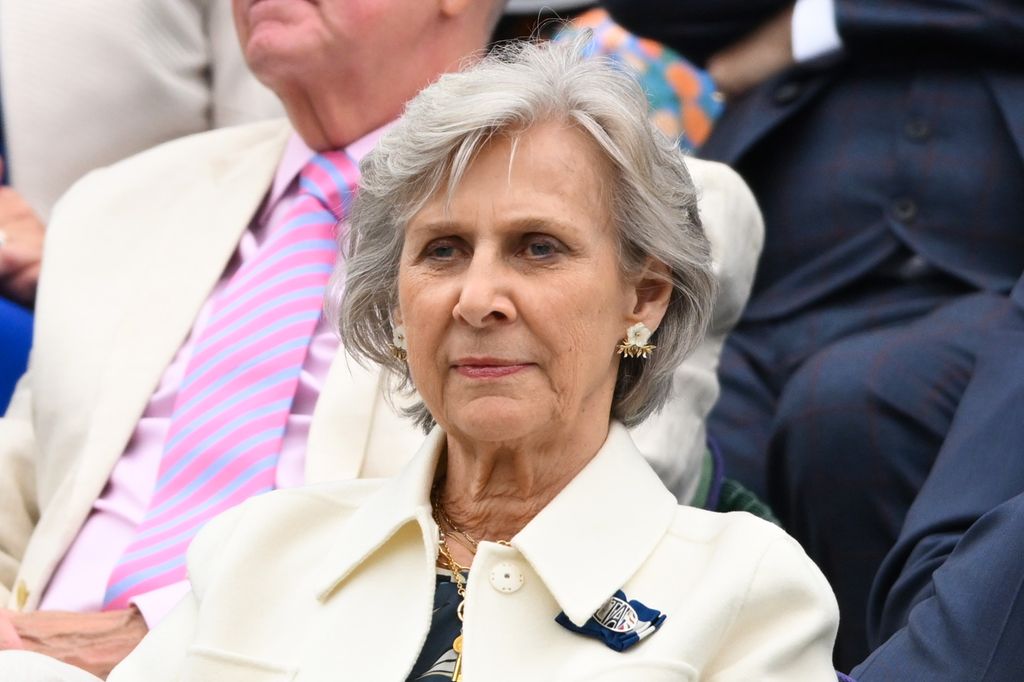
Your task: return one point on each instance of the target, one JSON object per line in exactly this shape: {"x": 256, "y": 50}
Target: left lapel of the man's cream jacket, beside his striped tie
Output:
{"x": 190, "y": 247}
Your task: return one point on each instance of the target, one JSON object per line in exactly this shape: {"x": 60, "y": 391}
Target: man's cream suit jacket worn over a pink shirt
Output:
{"x": 133, "y": 254}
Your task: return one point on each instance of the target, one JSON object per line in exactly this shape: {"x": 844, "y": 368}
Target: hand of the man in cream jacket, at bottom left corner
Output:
{"x": 96, "y": 643}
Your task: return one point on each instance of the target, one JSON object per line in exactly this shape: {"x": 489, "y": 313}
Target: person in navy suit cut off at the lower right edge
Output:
{"x": 948, "y": 603}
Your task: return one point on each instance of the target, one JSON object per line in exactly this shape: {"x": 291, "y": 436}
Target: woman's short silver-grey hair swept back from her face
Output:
{"x": 520, "y": 86}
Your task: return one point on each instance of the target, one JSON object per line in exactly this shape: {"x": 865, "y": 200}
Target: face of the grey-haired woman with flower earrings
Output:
{"x": 513, "y": 295}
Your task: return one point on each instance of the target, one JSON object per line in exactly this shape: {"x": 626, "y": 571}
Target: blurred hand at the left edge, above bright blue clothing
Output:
{"x": 22, "y": 251}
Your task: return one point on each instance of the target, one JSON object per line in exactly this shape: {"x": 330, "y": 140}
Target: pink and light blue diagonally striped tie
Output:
{"x": 232, "y": 408}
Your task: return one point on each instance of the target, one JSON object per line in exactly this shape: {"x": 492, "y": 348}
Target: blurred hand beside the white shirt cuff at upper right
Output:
{"x": 756, "y": 58}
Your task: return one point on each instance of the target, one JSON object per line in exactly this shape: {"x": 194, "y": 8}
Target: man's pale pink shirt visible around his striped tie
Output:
{"x": 80, "y": 581}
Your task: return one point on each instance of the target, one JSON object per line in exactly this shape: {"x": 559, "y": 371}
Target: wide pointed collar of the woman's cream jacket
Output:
{"x": 609, "y": 519}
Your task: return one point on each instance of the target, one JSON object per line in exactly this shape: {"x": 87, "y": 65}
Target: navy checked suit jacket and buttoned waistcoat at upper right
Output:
{"x": 910, "y": 143}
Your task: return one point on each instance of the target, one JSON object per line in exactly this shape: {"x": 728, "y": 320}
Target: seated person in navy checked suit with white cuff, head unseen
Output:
{"x": 885, "y": 144}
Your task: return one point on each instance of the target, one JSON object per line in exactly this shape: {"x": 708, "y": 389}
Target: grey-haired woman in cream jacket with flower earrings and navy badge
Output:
{"x": 527, "y": 253}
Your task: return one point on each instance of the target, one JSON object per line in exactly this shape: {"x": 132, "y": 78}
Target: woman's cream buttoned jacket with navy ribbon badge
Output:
{"x": 336, "y": 583}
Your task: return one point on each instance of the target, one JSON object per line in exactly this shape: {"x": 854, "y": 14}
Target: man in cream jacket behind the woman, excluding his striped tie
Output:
{"x": 134, "y": 254}
